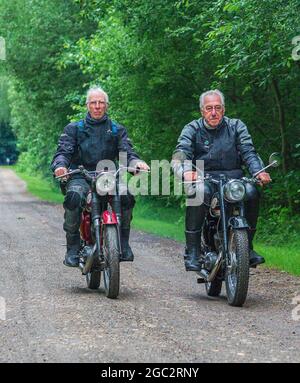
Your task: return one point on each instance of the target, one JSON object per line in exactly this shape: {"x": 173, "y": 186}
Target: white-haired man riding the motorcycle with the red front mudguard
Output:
{"x": 86, "y": 143}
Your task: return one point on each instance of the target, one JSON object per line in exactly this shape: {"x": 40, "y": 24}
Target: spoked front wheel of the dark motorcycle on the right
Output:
{"x": 237, "y": 267}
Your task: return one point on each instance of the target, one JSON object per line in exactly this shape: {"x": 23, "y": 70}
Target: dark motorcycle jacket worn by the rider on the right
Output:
{"x": 225, "y": 148}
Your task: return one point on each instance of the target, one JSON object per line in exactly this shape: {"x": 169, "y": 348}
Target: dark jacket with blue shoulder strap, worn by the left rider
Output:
{"x": 89, "y": 141}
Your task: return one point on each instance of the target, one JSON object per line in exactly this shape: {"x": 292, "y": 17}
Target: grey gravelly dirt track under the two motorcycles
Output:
{"x": 161, "y": 315}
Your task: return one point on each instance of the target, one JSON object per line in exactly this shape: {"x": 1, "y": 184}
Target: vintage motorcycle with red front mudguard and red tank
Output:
{"x": 101, "y": 249}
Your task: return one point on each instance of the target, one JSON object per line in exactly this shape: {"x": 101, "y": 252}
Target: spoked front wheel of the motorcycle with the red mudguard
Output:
{"x": 111, "y": 272}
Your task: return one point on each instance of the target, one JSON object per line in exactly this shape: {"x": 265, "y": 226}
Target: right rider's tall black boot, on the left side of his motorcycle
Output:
{"x": 191, "y": 257}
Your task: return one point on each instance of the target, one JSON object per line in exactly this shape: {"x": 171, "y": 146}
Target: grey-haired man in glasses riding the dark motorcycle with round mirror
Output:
{"x": 224, "y": 144}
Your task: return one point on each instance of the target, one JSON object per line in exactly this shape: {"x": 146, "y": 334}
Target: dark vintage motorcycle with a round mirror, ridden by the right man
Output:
{"x": 224, "y": 249}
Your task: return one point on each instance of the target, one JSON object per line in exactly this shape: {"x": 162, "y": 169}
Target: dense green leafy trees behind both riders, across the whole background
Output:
{"x": 154, "y": 58}
